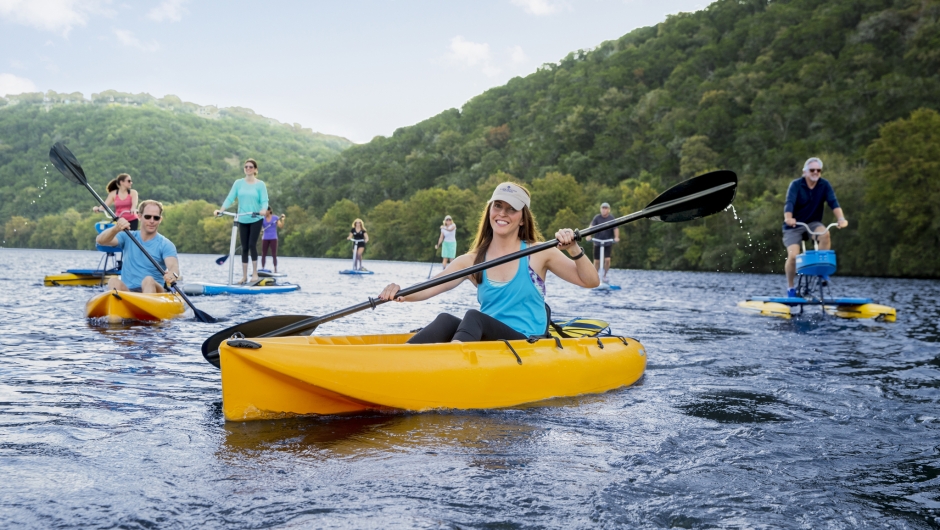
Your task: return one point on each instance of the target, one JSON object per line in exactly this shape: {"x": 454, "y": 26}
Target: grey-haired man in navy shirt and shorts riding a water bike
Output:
{"x": 804, "y": 204}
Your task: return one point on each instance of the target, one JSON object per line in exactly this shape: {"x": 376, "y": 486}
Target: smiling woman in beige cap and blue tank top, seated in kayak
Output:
{"x": 511, "y": 295}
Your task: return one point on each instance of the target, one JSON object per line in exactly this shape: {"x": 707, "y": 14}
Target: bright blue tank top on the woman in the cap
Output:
{"x": 517, "y": 303}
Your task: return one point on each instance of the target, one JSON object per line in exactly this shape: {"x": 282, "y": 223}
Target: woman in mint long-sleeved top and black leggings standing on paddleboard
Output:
{"x": 252, "y": 197}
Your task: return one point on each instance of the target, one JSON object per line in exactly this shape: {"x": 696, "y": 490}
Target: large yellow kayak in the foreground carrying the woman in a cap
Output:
{"x": 286, "y": 376}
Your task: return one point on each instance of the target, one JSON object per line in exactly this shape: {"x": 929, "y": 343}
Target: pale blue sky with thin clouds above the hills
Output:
{"x": 356, "y": 68}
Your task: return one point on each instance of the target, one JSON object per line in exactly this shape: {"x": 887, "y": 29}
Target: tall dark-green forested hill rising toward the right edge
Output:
{"x": 749, "y": 85}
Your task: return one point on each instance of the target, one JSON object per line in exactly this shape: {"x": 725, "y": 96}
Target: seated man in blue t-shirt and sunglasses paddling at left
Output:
{"x": 137, "y": 273}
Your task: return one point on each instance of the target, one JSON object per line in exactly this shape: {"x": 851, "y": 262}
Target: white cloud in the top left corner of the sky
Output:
{"x": 57, "y": 16}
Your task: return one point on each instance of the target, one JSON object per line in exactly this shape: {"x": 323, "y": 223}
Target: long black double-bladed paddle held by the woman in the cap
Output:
{"x": 697, "y": 197}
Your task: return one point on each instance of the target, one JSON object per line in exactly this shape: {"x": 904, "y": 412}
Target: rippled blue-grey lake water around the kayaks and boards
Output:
{"x": 740, "y": 420}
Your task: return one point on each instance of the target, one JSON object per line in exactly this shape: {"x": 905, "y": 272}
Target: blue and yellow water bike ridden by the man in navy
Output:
{"x": 813, "y": 269}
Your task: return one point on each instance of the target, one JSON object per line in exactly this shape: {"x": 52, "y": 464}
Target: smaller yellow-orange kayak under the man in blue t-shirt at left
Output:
{"x": 124, "y": 305}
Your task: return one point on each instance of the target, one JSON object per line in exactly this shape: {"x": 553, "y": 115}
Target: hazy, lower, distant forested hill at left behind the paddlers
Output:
{"x": 175, "y": 151}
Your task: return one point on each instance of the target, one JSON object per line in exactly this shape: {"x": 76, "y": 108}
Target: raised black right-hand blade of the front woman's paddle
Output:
{"x": 701, "y": 206}
